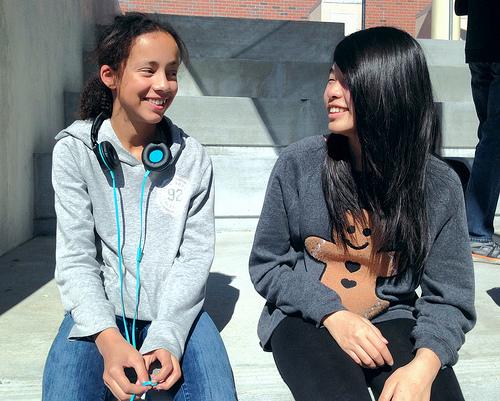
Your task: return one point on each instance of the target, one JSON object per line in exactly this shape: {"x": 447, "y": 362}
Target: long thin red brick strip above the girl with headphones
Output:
{"x": 262, "y": 9}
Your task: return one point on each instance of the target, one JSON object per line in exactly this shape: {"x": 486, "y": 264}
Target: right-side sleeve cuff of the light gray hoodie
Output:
{"x": 165, "y": 335}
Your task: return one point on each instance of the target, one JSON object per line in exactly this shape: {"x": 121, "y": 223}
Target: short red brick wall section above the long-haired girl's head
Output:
{"x": 399, "y": 13}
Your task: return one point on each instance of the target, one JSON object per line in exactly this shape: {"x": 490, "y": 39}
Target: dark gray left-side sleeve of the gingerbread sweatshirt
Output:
{"x": 273, "y": 258}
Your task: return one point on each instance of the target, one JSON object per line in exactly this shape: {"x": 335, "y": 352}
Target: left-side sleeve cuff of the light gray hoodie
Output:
{"x": 89, "y": 321}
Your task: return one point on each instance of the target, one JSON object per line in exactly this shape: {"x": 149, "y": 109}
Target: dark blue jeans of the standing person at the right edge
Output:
{"x": 483, "y": 189}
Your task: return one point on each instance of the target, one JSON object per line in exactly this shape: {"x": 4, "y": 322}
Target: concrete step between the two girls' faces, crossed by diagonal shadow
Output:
{"x": 217, "y": 120}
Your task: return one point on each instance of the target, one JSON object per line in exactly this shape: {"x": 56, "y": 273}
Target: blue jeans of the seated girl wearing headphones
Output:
{"x": 74, "y": 369}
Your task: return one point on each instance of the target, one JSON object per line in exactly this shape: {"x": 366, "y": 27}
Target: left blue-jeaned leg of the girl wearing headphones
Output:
{"x": 73, "y": 370}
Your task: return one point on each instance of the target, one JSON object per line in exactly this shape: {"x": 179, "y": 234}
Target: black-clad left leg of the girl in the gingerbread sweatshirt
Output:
{"x": 313, "y": 366}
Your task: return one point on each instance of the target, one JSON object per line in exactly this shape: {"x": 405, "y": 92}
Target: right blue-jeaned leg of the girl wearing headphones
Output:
{"x": 206, "y": 371}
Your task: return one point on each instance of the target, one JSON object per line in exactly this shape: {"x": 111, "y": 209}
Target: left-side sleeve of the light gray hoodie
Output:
{"x": 77, "y": 270}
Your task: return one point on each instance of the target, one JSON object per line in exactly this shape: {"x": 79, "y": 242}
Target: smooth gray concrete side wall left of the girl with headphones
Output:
{"x": 41, "y": 45}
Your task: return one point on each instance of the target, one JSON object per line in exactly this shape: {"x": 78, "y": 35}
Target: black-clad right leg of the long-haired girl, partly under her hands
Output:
{"x": 398, "y": 334}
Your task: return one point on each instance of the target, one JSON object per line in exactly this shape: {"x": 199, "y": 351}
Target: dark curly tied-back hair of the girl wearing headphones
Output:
{"x": 113, "y": 49}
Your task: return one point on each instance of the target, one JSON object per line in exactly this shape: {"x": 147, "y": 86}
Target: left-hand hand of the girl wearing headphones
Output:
{"x": 118, "y": 354}
